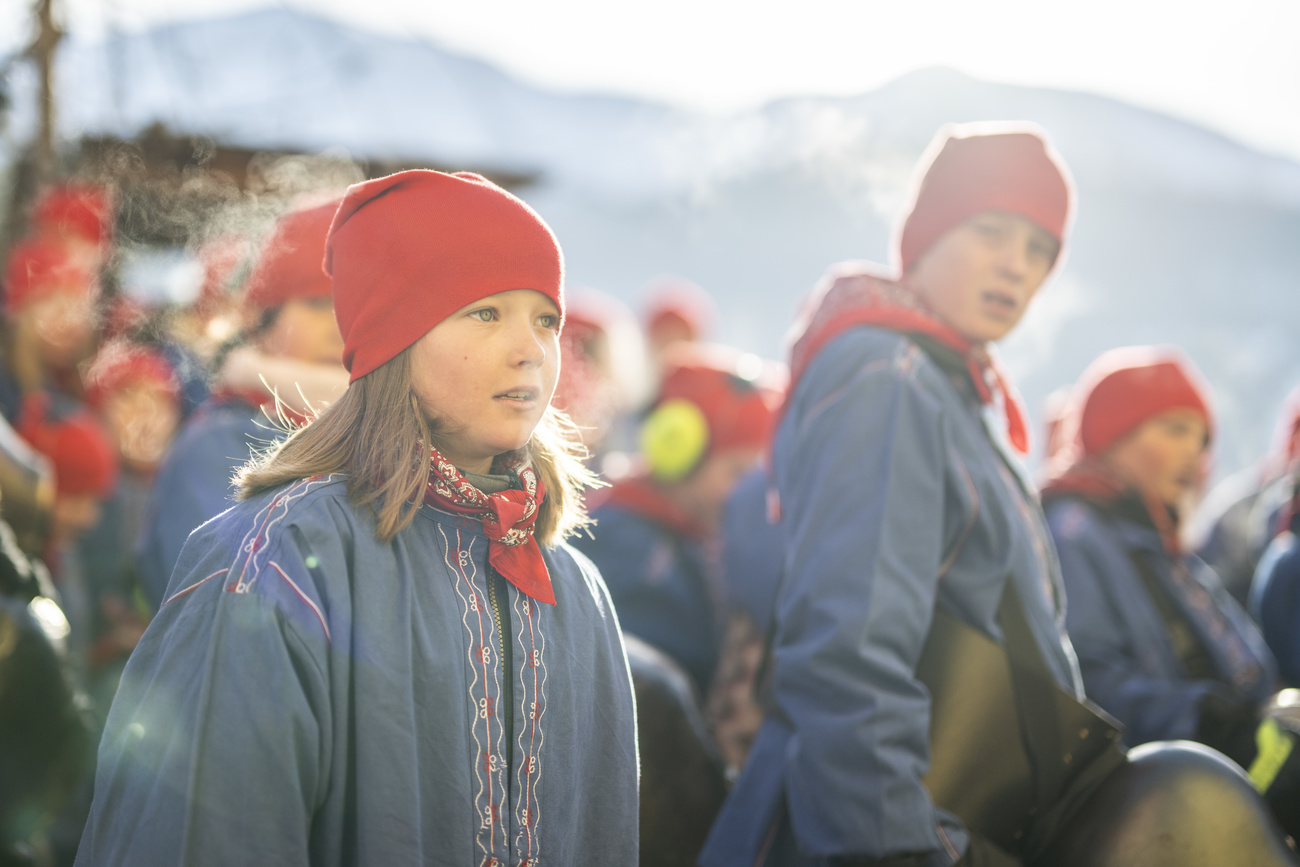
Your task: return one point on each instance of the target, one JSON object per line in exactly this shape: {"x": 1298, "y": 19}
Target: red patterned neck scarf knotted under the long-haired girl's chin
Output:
{"x": 508, "y": 519}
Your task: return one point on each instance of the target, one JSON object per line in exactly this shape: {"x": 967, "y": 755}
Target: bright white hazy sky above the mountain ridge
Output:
{"x": 1233, "y": 66}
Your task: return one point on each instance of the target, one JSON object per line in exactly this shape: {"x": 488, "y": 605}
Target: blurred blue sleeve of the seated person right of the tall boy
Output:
{"x": 1154, "y": 703}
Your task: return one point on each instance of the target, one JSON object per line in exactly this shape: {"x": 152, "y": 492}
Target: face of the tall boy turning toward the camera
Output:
{"x": 981, "y": 276}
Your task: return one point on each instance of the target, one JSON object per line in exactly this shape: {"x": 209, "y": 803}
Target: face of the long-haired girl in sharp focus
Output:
{"x": 486, "y": 375}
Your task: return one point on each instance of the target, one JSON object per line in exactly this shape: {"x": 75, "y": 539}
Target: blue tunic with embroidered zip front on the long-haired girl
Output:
{"x": 313, "y": 696}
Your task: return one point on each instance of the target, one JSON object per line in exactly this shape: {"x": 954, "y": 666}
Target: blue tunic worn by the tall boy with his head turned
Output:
{"x": 896, "y": 500}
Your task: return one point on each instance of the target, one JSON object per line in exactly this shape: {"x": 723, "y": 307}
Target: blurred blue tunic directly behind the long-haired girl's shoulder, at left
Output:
{"x": 194, "y": 484}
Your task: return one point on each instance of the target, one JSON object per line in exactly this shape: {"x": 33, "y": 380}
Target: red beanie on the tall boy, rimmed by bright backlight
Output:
{"x": 986, "y": 167}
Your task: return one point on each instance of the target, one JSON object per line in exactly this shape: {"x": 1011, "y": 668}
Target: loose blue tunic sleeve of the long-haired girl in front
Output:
{"x": 214, "y": 752}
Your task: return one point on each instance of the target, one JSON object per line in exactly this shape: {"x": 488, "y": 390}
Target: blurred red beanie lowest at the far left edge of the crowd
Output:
{"x": 84, "y": 458}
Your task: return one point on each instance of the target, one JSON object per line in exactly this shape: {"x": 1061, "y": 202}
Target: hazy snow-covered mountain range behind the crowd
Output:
{"x": 1182, "y": 236}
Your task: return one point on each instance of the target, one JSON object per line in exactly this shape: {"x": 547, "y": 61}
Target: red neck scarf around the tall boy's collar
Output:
{"x": 861, "y": 298}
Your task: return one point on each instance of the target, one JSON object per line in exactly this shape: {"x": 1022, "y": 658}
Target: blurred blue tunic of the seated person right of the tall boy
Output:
{"x": 1130, "y": 666}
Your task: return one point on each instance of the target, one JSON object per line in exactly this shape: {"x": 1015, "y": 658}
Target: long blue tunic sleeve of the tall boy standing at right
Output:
{"x": 861, "y": 469}
